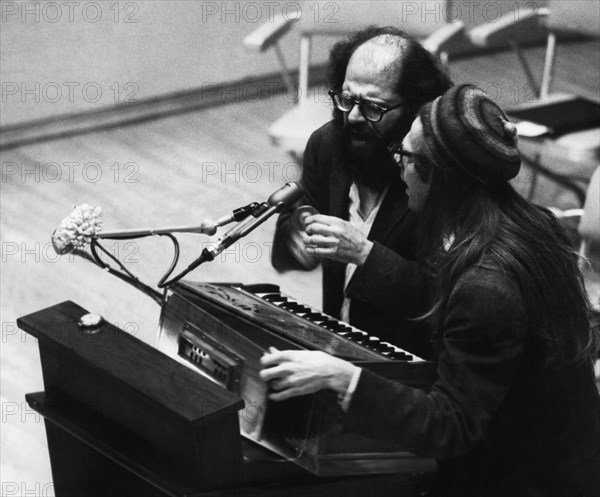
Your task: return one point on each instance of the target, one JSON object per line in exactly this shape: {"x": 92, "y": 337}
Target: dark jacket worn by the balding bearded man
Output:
{"x": 389, "y": 288}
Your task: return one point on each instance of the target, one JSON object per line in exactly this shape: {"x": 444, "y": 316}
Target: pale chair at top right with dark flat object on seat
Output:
{"x": 559, "y": 133}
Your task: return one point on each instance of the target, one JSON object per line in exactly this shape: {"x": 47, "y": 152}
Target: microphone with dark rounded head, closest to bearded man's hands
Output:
{"x": 280, "y": 199}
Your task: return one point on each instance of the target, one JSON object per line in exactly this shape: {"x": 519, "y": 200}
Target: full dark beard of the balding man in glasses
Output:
{"x": 371, "y": 165}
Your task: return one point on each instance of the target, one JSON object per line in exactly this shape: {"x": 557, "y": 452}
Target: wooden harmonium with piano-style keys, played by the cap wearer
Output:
{"x": 221, "y": 330}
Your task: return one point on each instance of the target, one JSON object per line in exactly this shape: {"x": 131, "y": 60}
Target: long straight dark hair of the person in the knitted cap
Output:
{"x": 493, "y": 224}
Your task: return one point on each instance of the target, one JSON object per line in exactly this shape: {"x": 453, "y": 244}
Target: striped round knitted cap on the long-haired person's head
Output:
{"x": 465, "y": 129}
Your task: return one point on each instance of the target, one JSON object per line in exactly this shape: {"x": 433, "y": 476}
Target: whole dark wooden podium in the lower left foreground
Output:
{"x": 123, "y": 419}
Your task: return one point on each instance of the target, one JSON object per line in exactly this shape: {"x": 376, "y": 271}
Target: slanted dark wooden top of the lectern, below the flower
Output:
{"x": 126, "y": 359}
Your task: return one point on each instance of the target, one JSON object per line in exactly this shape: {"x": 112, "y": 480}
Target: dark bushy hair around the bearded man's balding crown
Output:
{"x": 422, "y": 76}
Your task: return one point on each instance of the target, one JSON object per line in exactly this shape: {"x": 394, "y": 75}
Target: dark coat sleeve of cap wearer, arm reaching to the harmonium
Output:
{"x": 482, "y": 341}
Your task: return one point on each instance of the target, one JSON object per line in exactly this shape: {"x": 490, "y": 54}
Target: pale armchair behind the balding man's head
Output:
{"x": 292, "y": 130}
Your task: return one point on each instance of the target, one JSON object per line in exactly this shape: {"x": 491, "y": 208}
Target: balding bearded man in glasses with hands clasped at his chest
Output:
{"x": 362, "y": 232}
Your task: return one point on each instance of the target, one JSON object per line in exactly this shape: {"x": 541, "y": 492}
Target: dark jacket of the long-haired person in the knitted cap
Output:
{"x": 500, "y": 419}
